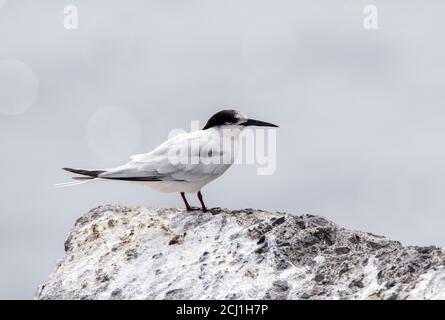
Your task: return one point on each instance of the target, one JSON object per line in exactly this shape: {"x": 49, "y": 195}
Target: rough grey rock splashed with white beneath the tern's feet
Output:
{"x": 117, "y": 252}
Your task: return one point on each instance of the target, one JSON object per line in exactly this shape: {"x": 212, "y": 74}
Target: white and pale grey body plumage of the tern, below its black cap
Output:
{"x": 184, "y": 163}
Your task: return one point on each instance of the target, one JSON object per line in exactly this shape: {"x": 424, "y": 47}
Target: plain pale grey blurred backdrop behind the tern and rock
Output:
{"x": 361, "y": 113}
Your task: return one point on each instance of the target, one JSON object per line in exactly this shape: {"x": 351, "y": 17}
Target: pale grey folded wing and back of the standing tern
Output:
{"x": 171, "y": 162}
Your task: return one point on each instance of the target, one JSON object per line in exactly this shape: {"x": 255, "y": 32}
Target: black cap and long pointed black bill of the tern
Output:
{"x": 235, "y": 119}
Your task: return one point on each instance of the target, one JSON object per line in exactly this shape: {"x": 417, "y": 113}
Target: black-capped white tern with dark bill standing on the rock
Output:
{"x": 185, "y": 163}
